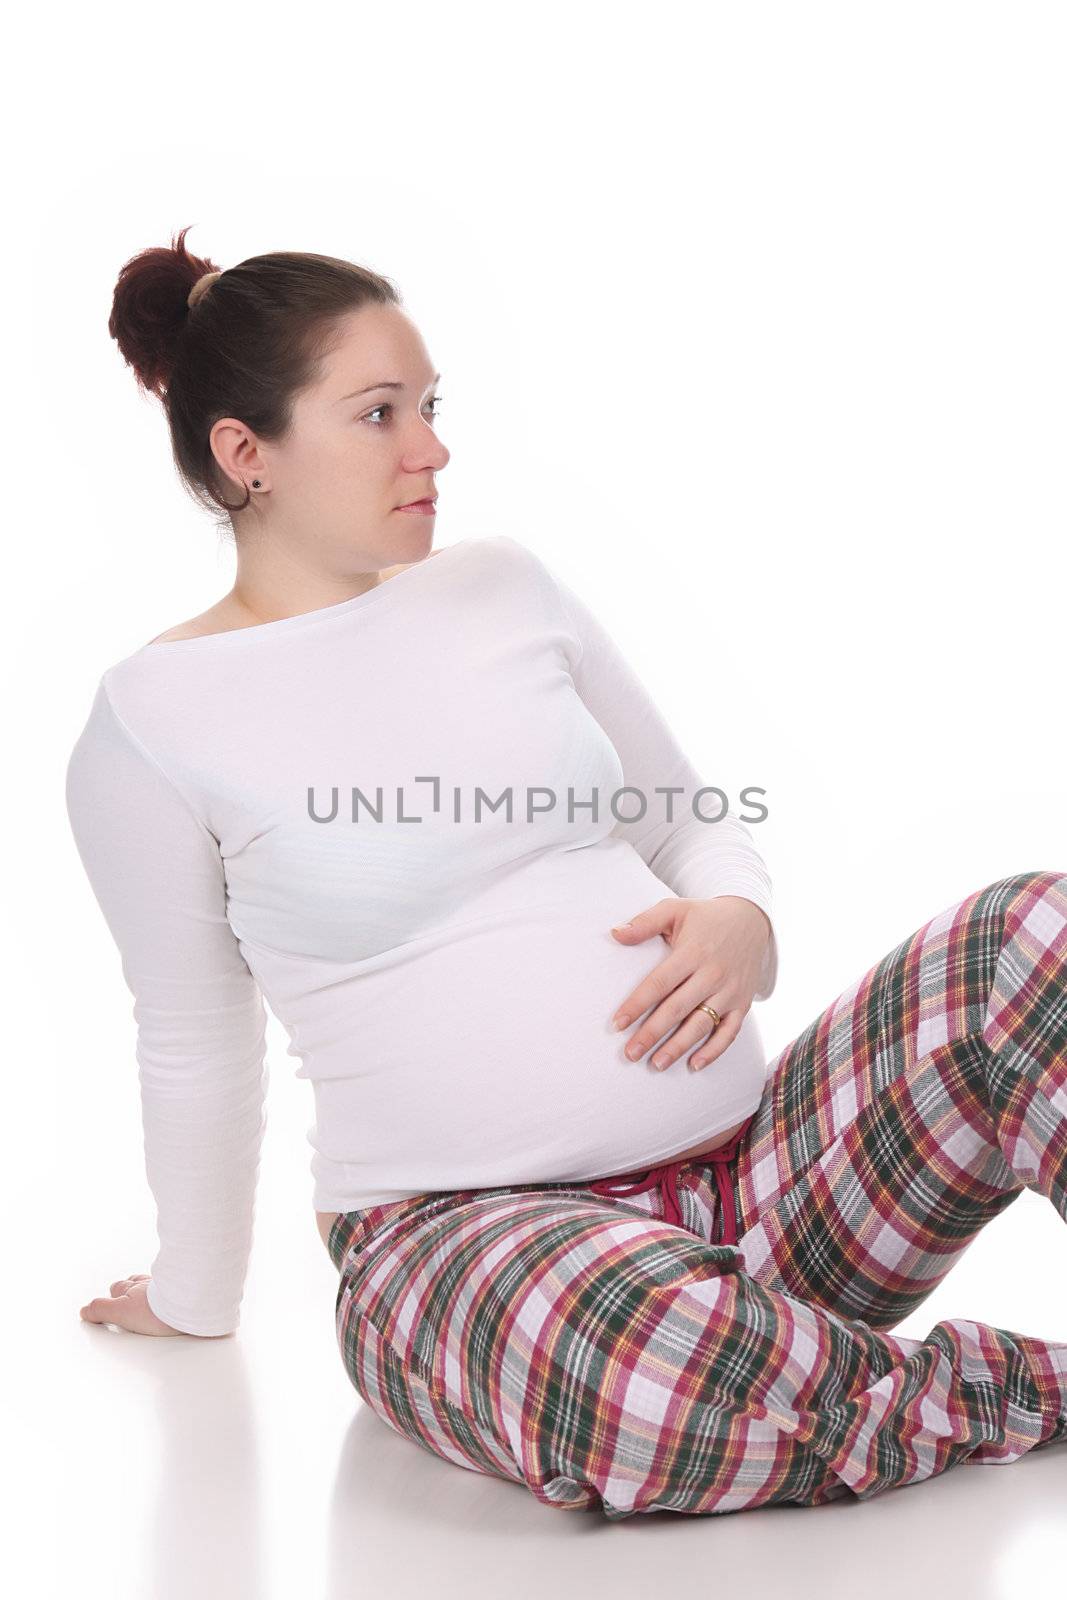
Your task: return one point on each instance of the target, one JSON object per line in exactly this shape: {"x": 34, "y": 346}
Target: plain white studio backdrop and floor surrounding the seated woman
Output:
{"x": 753, "y": 324}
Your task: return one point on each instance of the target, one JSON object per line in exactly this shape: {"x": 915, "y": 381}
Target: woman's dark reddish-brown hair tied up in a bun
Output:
{"x": 254, "y": 338}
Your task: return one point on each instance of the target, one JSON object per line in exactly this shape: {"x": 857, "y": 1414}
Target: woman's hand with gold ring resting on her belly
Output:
{"x": 717, "y": 951}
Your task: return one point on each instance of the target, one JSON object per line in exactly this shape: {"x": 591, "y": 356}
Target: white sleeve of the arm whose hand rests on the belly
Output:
{"x": 695, "y": 858}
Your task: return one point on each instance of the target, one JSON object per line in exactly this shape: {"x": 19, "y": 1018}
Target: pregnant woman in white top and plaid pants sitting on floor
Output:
{"x": 420, "y": 804}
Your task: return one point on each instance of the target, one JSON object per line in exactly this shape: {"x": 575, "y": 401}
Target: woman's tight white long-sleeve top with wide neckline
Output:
{"x": 314, "y": 812}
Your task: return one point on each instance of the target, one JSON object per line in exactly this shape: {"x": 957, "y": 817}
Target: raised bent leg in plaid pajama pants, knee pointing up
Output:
{"x": 916, "y": 1108}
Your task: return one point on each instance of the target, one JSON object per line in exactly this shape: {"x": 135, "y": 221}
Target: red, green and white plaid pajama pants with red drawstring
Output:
{"x": 602, "y": 1346}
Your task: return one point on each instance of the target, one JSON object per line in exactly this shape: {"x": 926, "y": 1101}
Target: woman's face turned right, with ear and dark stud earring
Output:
{"x": 353, "y": 457}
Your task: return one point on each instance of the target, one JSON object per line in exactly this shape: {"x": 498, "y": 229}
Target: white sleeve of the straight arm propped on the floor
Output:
{"x": 158, "y": 876}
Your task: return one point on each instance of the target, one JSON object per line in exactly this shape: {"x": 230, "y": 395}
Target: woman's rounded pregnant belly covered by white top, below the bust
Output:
{"x": 494, "y": 1034}
